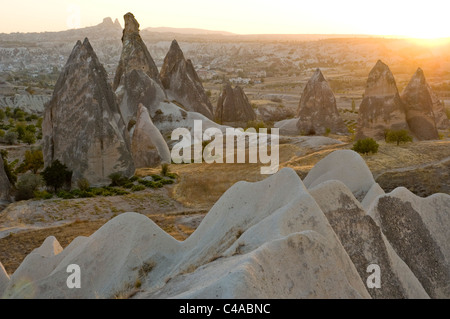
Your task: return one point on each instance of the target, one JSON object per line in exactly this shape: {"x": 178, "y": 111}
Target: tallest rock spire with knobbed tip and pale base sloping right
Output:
{"x": 137, "y": 81}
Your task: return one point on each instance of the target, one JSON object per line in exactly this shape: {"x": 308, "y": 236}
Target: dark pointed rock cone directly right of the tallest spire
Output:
{"x": 182, "y": 83}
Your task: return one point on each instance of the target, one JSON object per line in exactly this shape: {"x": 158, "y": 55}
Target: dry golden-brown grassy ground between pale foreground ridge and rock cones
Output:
{"x": 422, "y": 167}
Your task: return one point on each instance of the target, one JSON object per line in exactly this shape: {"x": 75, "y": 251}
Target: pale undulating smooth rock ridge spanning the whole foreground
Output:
{"x": 278, "y": 238}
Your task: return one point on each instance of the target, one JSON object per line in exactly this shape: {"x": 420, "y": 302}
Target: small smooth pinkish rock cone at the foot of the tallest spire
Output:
{"x": 148, "y": 146}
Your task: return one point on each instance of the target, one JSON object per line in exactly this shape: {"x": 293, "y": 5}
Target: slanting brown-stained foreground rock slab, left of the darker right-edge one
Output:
{"x": 365, "y": 243}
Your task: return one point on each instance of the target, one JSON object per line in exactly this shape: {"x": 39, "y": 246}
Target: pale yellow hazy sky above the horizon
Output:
{"x": 428, "y": 19}
